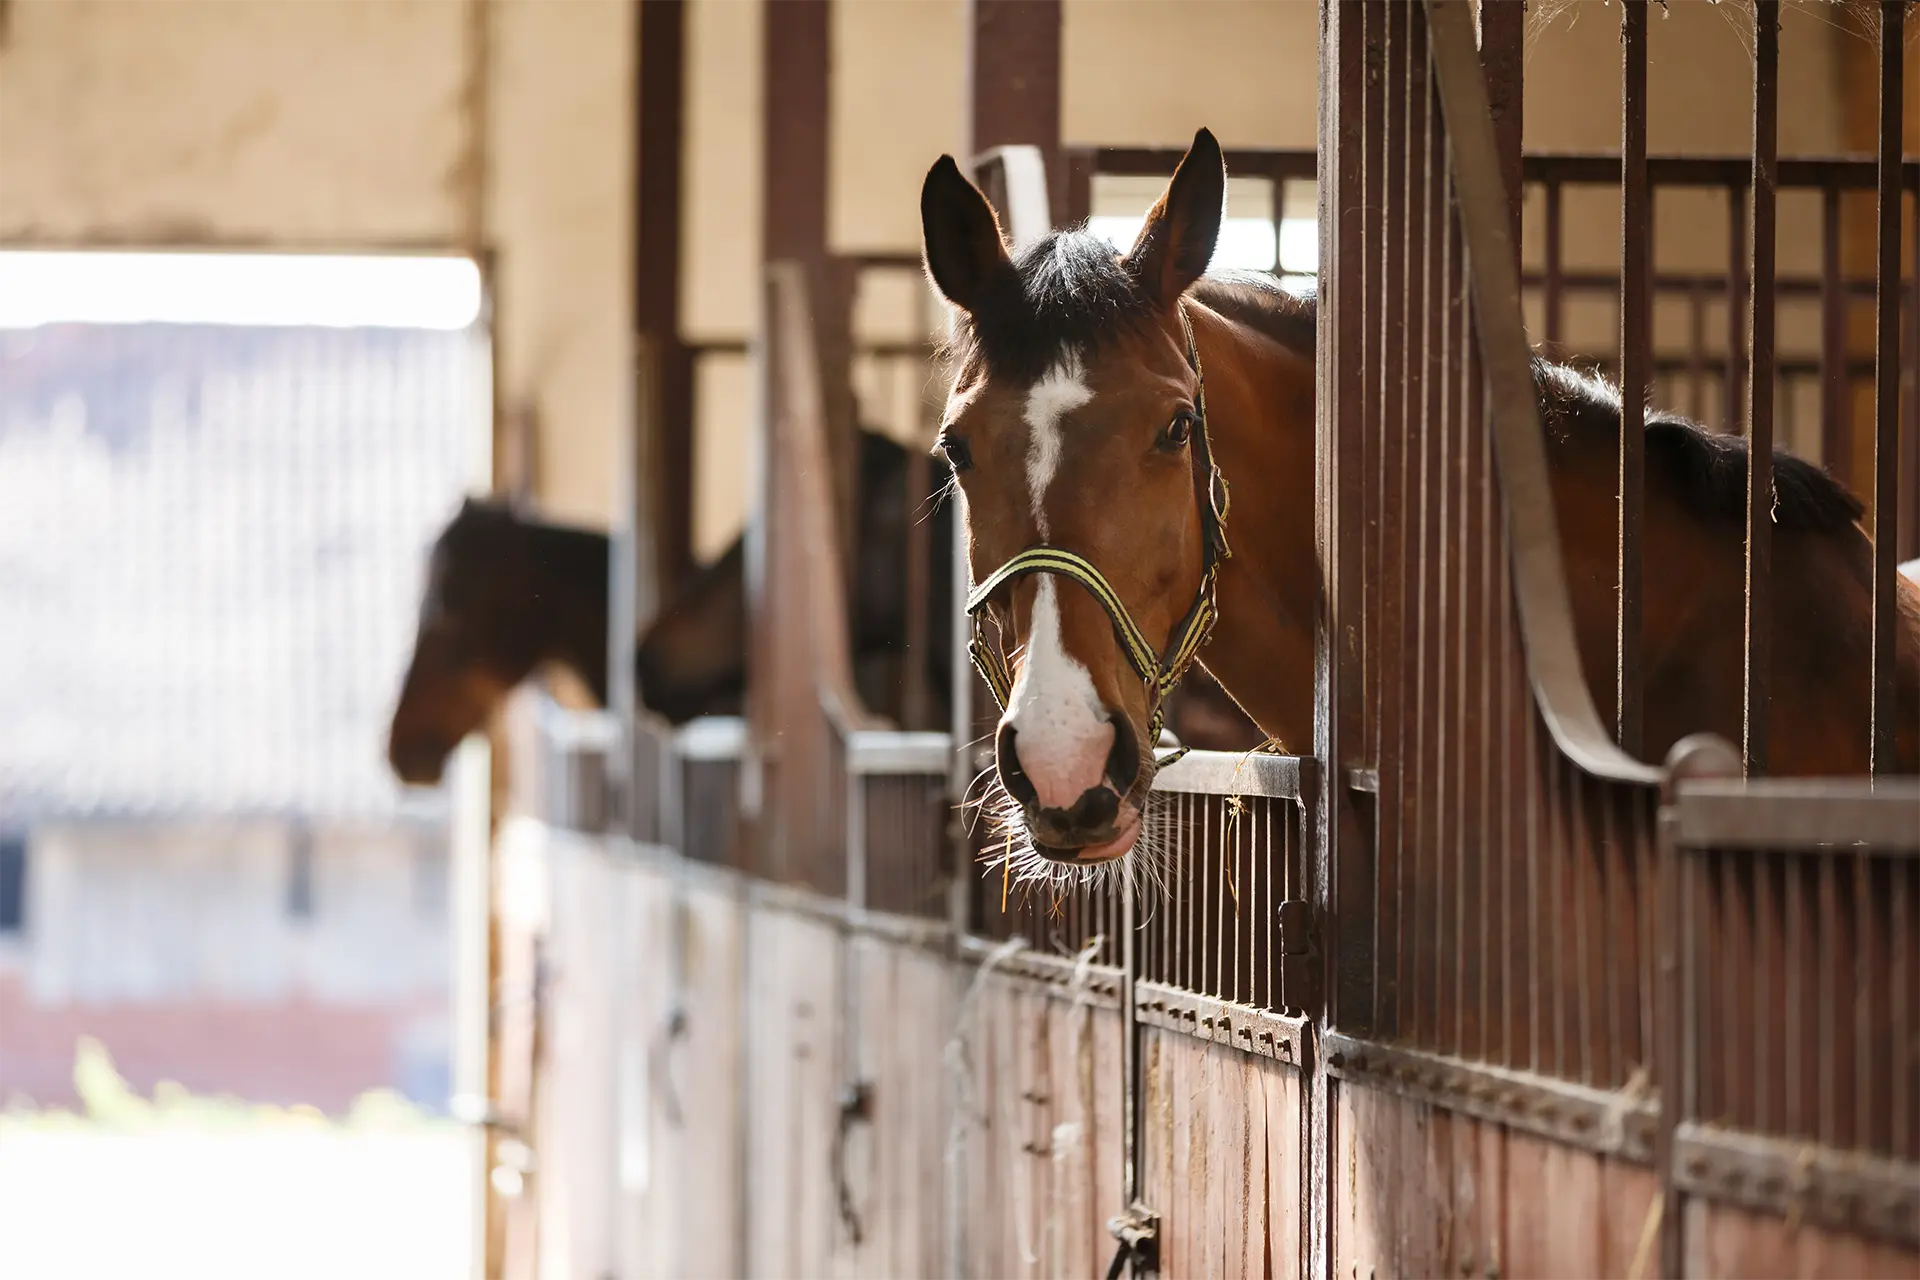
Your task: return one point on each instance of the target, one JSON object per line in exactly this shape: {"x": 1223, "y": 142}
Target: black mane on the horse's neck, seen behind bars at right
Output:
{"x": 1710, "y": 469}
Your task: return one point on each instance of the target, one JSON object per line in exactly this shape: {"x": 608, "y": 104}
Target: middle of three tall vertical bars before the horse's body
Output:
{"x": 1762, "y": 383}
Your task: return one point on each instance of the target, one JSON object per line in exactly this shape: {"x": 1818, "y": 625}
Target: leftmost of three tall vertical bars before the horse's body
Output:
{"x": 1637, "y": 358}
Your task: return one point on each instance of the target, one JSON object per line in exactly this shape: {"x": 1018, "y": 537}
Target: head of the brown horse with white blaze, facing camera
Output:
{"x": 1093, "y": 511}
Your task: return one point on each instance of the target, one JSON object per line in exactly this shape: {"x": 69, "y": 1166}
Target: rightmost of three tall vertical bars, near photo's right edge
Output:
{"x": 1888, "y": 381}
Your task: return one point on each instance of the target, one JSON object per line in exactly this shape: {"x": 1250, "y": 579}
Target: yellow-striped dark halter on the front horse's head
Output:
{"x": 1161, "y": 673}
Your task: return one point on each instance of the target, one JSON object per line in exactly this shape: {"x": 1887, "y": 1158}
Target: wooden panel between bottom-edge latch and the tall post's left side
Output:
{"x": 1222, "y": 1158}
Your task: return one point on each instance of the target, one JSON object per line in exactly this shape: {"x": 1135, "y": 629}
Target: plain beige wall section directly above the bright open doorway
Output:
{"x": 231, "y": 122}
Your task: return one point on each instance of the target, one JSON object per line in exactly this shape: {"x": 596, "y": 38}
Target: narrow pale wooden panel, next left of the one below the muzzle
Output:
{"x": 896, "y": 1164}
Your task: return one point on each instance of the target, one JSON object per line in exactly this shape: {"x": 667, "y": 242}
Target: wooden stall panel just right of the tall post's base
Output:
{"x": 1428, "y": 1193}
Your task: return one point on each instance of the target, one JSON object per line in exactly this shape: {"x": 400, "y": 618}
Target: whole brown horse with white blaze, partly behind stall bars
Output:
{"x": 1080, "y": 433}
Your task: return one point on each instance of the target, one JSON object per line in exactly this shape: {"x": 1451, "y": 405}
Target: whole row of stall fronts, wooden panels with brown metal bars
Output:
{"x": 1470, "y": 991}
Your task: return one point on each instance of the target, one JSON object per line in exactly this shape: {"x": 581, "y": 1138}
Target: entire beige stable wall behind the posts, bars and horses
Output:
{"x": 347, "y": 124}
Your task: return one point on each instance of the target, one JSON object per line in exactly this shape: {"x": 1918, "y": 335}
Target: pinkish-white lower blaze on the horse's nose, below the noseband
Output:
{"x": 1063, "y": 734}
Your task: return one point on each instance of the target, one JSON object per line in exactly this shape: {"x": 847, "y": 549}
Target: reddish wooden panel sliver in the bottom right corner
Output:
{"x": 1725, "y": 1243}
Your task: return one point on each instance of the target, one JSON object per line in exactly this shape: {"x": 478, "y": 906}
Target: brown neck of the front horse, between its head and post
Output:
{"x": 1260, "y": 429}
